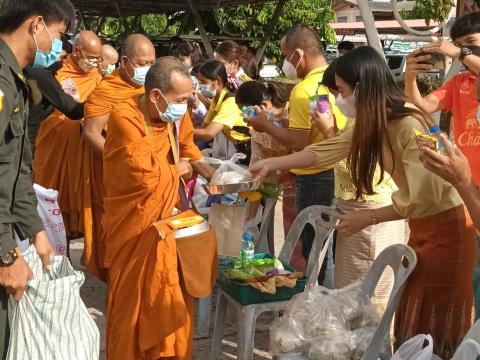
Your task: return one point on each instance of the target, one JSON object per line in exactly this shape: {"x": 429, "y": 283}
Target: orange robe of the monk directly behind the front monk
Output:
{"x": 111, "y": 91}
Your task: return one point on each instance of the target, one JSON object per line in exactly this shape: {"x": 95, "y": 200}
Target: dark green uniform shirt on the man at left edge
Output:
{"x": 18, "y": 203}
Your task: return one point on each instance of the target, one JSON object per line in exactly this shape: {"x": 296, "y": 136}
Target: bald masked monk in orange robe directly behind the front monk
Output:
{"x": 138, "y": 54}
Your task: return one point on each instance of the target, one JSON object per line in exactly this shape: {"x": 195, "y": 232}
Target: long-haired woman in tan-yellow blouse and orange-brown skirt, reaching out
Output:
{"x": 438, "y": 296}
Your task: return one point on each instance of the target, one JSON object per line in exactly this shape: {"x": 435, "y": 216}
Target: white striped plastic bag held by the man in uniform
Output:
{"x": 50, "y": 321}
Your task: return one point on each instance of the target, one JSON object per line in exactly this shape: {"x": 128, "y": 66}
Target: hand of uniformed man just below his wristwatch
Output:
{"x": 14, "y": 277}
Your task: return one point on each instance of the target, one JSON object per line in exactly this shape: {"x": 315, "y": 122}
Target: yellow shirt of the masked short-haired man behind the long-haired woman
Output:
{"x": 300, "y": 117}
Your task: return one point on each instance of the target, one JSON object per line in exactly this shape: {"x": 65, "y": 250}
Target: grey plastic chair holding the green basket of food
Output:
{"x": 323, "y": 219}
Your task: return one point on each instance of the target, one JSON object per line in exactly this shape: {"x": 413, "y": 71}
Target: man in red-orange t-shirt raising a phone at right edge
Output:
{"x": 459, "y": 95}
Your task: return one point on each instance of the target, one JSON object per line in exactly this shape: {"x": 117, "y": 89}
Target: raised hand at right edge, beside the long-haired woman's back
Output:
{"x": 453, "y": 168}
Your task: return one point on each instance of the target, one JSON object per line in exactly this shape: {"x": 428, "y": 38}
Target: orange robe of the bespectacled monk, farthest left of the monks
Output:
{"x": 59, "y": 148}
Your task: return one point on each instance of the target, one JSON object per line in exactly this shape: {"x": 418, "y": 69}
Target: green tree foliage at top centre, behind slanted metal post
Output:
{"x": 250, "y": 21}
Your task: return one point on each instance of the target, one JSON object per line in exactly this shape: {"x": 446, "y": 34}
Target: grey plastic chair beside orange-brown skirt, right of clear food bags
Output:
{"x": 392, "y": 256}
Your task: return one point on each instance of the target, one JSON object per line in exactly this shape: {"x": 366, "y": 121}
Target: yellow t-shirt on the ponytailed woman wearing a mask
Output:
{"x": 227, "y": 113}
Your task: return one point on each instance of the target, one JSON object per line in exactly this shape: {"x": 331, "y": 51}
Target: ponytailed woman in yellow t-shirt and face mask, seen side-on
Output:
{"x": 224, "y": 122}
